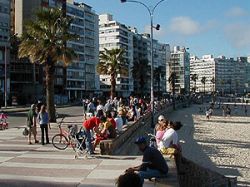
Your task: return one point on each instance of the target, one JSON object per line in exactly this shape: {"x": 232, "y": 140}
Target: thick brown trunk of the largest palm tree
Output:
{"x": 50, "y": 74}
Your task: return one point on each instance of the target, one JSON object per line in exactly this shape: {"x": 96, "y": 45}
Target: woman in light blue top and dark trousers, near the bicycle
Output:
{"x": 43, "y": 119}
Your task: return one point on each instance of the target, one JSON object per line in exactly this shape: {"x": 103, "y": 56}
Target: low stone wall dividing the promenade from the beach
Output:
{"x": 189, "y": 173}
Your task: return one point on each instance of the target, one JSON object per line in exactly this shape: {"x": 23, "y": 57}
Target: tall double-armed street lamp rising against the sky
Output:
{"x": 157, "y": 27}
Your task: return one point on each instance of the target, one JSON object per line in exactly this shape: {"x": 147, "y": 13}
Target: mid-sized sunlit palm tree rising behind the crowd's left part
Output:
{"x": 112, "y": 62}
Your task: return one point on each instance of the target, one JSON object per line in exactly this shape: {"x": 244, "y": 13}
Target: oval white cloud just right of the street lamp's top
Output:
{"x": 184, "y": 26}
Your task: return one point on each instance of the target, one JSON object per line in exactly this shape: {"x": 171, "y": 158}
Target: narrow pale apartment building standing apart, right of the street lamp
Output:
{"x": 180, "y": 65}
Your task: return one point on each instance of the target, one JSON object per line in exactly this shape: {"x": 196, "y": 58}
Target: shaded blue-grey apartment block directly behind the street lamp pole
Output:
{"x": 142, "y": 54}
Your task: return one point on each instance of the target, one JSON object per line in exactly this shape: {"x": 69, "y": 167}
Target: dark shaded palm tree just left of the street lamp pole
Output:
{"x": 141, "y": 76}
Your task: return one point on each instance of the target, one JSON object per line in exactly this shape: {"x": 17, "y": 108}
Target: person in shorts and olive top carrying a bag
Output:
{"x": 31, "y": 123}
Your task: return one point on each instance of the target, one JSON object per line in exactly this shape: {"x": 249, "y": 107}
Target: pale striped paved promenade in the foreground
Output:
{"x": 27, "y": 165}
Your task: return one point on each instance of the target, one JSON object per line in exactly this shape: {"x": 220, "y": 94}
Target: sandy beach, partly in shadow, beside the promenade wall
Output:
{"x": 221, "y": 143}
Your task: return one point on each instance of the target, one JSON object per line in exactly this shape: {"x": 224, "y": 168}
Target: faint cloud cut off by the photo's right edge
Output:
{"x": 238, "y": 35}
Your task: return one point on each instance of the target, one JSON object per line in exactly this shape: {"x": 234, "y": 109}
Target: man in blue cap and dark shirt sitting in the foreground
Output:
{"x": 153, "y": 163}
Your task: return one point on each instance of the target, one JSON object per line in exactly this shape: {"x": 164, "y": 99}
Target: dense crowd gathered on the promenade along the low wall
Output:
{"x": 105, "y": 119}
